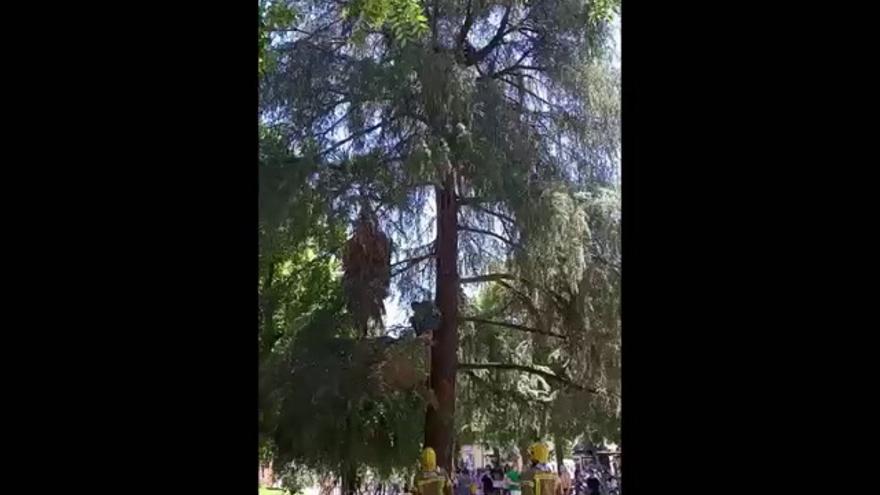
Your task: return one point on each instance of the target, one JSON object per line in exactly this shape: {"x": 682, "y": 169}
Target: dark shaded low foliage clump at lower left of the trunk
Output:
{"x": 332, "y": 404}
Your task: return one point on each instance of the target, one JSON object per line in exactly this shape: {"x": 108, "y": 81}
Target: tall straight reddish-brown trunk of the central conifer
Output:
{"x": 439, "y": 425}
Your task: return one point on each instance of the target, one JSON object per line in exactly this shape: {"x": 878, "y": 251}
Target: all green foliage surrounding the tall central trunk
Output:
{"x": 360, "y": 110}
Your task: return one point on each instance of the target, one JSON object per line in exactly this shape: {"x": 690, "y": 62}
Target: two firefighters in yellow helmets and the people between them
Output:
{"x": 537, "y": 479}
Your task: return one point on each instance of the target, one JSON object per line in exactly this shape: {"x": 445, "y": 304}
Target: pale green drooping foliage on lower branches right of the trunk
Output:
{"x": 571, "y": 286}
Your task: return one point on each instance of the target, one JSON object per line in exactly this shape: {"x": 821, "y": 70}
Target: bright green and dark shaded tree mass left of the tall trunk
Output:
{"x": 332, "y": 401}
